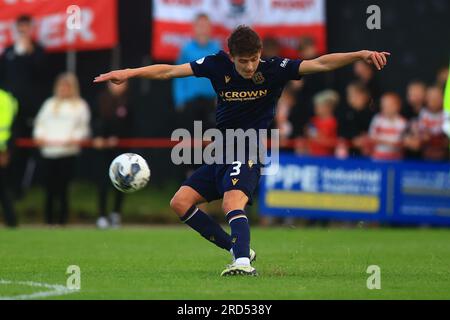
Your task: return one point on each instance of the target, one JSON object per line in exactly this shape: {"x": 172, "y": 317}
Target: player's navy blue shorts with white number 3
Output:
{"x": 211, "y": 181}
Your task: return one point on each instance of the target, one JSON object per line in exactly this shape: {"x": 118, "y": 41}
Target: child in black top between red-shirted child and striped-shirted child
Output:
{"x": 355, "y": 118}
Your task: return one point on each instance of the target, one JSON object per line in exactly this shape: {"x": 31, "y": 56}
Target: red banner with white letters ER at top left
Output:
{"x": 63, "y": 24}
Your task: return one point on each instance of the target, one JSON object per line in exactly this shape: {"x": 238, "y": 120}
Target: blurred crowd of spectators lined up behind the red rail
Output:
{"x": 314, "y": 117}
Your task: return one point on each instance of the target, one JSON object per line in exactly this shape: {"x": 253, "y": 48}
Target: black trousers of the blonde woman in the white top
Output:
{"x": 58, "y": 175}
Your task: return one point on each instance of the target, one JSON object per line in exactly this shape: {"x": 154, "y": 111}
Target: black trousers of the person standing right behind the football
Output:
{"x": 104, "y": 158}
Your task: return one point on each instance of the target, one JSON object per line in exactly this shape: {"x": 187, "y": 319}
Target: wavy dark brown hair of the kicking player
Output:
{"x": 244, "y": 41}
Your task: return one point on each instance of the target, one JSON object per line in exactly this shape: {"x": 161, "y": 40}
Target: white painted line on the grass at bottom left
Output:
{"x": 56, "y": 290}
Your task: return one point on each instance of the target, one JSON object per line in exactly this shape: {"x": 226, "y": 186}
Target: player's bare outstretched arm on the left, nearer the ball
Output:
{"x": 154, "y": 72}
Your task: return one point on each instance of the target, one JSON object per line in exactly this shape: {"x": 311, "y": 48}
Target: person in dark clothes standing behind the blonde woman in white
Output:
{"x": 21, "y": 73}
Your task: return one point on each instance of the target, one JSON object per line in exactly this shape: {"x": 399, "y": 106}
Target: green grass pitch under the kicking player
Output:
{"x": 175, "y": 263}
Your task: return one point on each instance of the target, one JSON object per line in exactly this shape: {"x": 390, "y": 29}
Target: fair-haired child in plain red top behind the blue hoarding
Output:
{"x": 321, "y": 130}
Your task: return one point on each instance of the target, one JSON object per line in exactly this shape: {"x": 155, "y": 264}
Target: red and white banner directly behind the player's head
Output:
{"x": 286, "y": 20}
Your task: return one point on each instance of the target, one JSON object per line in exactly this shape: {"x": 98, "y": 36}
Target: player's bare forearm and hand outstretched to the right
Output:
{"x": 334, "y": 61}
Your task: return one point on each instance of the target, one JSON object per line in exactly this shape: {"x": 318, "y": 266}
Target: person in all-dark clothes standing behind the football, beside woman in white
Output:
{"x": 114, "y": 121}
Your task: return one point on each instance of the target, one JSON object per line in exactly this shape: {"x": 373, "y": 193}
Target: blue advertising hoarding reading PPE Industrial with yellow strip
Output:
{"x": 403, "y": 192}
